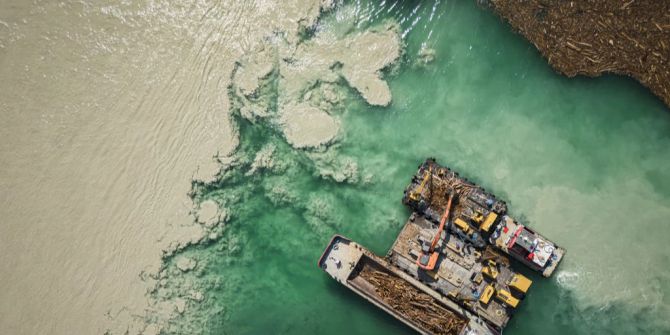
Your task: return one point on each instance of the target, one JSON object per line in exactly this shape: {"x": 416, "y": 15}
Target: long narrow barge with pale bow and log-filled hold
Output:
{"x": 403, "y": 297}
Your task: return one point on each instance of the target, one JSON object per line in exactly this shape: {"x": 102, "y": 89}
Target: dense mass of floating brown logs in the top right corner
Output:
{"x": 629, "y": 37}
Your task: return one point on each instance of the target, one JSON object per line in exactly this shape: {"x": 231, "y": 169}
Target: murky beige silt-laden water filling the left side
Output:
{"x": 104, "y": 135}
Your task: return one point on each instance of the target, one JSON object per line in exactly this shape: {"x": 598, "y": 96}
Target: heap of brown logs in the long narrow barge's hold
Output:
{"x": 413, "y": 304}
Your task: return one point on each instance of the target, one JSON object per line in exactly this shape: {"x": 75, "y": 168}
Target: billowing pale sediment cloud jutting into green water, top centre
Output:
{"x": 307, "y": 79}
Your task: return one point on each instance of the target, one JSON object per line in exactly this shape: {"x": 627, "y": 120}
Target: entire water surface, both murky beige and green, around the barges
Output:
{"x": 582, "y": 160}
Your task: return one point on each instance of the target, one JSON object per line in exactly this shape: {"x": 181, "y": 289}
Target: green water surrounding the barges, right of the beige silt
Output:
{"x": 584, "y": 161}
